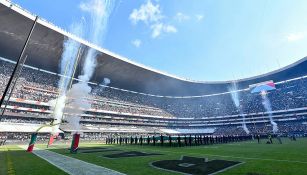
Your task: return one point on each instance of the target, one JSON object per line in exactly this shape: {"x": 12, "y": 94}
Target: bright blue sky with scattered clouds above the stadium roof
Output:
{"x": 201, "y": 40}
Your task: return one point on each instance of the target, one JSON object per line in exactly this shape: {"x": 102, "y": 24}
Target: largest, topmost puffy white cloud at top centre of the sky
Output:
{"x": 146, "y": 13}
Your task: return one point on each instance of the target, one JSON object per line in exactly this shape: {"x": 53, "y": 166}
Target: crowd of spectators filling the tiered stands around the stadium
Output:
{"x": 38, "y": 85}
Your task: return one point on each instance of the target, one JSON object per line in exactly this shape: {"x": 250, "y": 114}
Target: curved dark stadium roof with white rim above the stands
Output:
{"x": 46, "y": 46}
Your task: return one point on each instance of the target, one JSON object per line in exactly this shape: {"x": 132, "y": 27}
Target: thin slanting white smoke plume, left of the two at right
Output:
{"x": 236, "y": 100}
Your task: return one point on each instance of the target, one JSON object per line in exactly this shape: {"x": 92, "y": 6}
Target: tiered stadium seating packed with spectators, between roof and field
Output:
{"x": 128, "y": 112}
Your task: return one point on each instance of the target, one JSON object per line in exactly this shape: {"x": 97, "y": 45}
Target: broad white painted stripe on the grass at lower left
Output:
{"x": 71, "y": 165}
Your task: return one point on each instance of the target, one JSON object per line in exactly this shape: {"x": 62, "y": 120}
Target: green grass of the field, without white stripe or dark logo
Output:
{"x": 290, "y": 158}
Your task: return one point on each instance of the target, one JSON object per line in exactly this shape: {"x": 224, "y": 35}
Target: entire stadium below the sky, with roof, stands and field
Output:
{"x": 138, "y": 120}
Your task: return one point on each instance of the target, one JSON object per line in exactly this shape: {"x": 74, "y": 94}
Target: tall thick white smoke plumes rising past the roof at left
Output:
{"x": 99, "y": 12}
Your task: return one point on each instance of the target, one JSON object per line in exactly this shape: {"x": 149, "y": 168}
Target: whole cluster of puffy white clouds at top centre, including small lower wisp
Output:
{"x": 151, "y": 15}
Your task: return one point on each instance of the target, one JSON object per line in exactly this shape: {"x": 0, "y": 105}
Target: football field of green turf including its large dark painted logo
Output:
{"x": 240, "y": 158}
